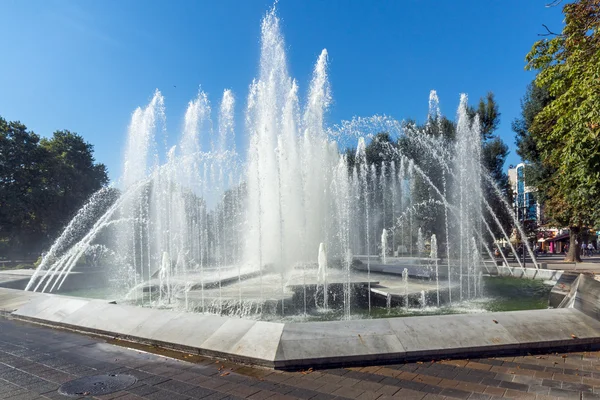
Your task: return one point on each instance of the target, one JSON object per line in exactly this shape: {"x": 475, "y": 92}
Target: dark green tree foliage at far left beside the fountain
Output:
{"x": 44, "y": 182}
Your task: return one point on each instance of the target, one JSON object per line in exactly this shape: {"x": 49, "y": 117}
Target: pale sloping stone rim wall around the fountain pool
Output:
{"x": 315, "y": 344}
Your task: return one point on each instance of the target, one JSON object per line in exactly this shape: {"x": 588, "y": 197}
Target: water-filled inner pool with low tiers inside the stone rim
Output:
{"x": 299, "y": 297}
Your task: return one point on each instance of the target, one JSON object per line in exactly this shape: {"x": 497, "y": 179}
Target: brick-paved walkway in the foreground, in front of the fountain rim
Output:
{"x": 35, "y": 360}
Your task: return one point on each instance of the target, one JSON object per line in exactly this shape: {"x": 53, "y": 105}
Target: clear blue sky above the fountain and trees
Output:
{"x": 86, "y": 65}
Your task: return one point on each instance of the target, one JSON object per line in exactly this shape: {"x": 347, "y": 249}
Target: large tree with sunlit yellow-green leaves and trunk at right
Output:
{"x": 566, "y": 130}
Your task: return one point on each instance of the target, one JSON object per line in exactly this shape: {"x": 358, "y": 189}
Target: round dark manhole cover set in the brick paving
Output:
{"x": 96, "y": 385}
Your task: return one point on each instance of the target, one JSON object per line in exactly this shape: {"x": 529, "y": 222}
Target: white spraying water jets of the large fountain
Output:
{"x": 205, "y": 228}
